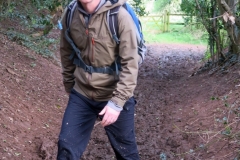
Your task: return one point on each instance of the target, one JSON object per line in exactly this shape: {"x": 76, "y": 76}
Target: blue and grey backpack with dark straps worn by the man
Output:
{"x": 112, "y": 24}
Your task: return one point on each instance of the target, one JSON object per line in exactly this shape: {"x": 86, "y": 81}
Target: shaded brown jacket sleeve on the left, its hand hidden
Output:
{"x": 67, "y": 65}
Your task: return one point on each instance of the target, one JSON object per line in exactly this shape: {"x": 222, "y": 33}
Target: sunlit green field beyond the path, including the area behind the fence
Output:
{"x": 175, "y": 31}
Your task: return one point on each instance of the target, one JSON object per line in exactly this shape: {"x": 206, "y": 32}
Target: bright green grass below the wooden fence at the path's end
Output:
{"x": 176, "y": 34}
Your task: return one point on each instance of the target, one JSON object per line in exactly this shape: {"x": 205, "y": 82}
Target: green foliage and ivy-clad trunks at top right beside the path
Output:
{"x": 220, "y": 32}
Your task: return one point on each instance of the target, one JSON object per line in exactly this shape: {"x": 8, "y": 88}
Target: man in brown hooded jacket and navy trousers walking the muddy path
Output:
{"x": 92, "y": 94}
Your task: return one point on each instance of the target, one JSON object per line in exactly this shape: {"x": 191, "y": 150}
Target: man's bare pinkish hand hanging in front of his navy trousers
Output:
{"x": 110, "y": 116}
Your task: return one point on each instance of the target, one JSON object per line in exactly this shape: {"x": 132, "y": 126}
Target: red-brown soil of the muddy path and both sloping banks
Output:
{"x": 179, "y": 115}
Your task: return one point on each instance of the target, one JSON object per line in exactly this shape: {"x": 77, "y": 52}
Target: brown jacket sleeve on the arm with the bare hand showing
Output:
{"x": 128, "y": 52}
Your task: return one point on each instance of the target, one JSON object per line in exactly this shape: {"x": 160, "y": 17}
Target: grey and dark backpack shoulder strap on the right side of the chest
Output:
{"x": 112, "y": 22}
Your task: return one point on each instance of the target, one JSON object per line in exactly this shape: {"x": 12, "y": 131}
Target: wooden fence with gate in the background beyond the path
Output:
{"x": 161, "y": 22}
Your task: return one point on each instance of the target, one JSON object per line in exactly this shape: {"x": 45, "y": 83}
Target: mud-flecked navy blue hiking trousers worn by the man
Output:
{"x": 78, "y": 122}
